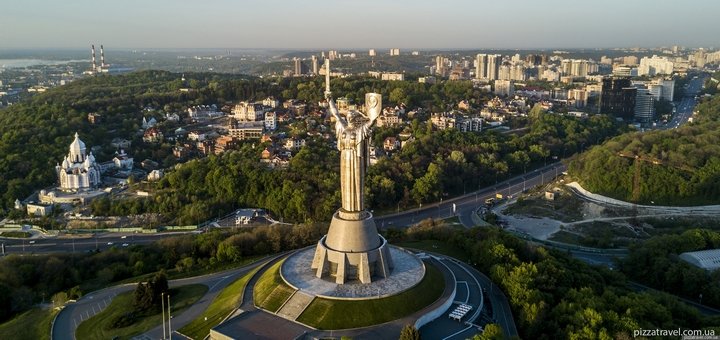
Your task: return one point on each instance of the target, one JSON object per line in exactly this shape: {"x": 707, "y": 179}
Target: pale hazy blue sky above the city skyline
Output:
{"x": 313, "y": 24}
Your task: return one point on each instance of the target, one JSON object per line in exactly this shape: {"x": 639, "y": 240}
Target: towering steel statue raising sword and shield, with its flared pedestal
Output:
{"x": 352, "y": 248}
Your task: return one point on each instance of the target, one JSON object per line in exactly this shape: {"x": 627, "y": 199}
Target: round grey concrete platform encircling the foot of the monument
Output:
{"x": 408, "y": 272}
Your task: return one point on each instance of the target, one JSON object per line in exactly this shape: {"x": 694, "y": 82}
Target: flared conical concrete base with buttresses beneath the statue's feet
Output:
{"x": 352, "y": 250}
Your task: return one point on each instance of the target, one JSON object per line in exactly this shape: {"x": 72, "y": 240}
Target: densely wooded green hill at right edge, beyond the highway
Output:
{"x": 675, "y": 167}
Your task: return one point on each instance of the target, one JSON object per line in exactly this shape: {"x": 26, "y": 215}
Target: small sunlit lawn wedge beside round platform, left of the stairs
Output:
{"x": 271, "y": 291}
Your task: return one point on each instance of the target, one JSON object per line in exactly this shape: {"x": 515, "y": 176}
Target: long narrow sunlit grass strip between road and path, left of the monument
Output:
{"x": 224, "y": 303}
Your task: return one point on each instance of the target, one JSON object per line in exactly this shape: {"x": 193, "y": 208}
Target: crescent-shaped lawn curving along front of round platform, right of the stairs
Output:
{"x": 343, "y": 314}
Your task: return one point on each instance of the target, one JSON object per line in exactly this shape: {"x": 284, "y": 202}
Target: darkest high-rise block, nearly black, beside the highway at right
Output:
{"x": 618, "y": 98}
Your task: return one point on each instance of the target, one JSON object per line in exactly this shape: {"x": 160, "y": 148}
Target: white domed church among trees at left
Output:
{"x": 78, "y": 170}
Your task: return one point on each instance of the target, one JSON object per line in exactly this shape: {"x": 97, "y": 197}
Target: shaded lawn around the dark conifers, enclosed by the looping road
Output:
{"x": 98, "y": 326}
